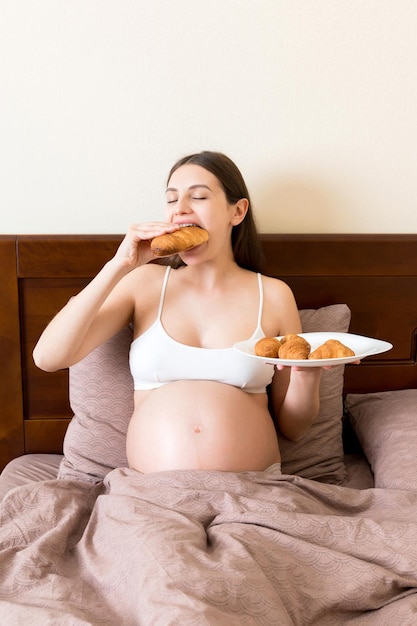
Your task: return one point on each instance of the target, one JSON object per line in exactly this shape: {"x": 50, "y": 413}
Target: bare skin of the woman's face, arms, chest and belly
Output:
{"x": 209, "y": 303}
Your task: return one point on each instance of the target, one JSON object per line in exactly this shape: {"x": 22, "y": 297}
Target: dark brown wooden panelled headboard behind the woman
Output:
{"x": 376, "y": 275}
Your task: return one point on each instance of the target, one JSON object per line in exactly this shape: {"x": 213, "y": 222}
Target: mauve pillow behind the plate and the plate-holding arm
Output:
{"x": 319, "y": 454}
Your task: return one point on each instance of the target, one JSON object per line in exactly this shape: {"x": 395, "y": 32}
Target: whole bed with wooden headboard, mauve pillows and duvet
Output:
{"x": 86, "y": 540}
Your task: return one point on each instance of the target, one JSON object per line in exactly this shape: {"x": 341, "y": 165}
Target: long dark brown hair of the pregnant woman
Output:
{"x": 246, "y": 246}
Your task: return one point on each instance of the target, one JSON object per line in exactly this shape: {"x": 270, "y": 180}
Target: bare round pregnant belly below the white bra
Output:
{"x": 201, "y": 425}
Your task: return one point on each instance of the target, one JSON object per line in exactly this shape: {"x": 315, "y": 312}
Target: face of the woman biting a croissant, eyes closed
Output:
{"x": 195, "y": 196}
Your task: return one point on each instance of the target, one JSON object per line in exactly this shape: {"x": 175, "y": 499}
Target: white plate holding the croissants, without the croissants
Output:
{"x": 362, "y": 347}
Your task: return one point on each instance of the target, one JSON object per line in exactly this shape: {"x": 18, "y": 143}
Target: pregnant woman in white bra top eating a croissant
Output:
{"x": 199, "y": 404}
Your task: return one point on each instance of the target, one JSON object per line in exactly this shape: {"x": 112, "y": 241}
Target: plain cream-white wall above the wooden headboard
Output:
{"x": 315, "y": 100}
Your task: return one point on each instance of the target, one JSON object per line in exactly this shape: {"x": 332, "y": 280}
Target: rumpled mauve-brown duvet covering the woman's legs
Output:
{"x": 215, "y": 548}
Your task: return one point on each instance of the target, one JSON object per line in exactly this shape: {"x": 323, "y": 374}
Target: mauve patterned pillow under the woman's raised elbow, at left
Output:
{"x": 101, "y": 397}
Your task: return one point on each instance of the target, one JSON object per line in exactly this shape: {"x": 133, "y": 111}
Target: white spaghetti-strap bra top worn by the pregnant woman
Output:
{"x": 157, "y": 359}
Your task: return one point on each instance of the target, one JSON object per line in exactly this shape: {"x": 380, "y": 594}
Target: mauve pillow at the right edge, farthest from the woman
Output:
{"x": 385, "y": 424}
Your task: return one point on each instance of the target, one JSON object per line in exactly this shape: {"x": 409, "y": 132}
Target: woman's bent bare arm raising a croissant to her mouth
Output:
{"x": 102, "y": 308}
